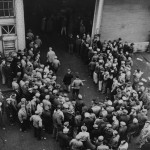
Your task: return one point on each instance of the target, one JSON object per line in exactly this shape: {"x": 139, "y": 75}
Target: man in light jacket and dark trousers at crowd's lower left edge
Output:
{"x": 37, "y": 124}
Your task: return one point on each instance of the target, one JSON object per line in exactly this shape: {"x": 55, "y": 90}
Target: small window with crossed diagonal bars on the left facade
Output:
{"x": 8, "y": 30}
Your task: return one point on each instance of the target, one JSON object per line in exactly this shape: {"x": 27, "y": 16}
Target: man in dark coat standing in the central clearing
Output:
{"x": 67, "y": 80}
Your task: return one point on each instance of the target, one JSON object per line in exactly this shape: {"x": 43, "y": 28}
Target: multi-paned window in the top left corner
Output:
{"x": 6, "y": 8}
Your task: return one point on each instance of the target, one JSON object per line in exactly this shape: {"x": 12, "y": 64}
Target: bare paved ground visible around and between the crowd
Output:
{"x": 12, "y": 138}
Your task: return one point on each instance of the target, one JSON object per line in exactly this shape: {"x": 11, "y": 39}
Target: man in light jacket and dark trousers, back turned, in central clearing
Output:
{"x": 76, "y": 84}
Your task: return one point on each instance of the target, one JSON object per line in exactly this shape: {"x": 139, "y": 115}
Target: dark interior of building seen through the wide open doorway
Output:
{"x": 54, "y": 10}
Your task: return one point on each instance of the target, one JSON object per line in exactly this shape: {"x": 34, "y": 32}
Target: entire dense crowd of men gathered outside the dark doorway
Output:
{"x": 39, "y": 101}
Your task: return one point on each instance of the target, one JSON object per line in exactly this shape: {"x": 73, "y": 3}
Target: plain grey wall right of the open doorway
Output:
{"x": 128, "y": 19}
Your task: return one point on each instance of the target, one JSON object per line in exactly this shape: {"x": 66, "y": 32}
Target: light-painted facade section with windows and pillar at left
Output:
{"x": 12, "y": 26}
